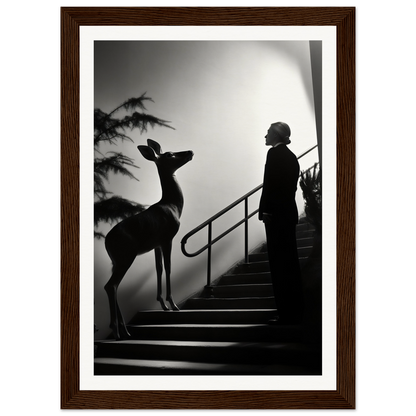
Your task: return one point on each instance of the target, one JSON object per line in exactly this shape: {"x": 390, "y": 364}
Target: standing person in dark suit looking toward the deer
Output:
{"x": 279, "y": 213}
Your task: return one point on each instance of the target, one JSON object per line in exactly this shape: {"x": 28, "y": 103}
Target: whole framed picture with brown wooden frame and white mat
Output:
{"x": 213, "y": 77}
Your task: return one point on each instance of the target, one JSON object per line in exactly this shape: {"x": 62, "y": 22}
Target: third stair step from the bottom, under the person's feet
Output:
{"x": 216, "y": 332}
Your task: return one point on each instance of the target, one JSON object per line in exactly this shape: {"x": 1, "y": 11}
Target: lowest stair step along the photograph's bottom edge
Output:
{"x": 123, "y": 366}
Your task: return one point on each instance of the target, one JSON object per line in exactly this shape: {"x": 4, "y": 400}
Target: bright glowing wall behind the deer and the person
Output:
{"x": 221, "y": 98}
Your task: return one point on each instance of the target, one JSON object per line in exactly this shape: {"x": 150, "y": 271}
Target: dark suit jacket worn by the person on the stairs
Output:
{"x": 281, "y": 175}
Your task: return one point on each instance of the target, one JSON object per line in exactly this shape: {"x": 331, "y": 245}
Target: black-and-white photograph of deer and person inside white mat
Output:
{"x": 207, "y": 208}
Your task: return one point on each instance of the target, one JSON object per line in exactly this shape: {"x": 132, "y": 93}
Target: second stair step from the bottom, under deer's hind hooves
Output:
{"x": 212, "y": 352}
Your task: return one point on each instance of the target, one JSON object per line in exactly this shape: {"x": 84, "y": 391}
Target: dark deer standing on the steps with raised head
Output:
{"x": 151, "y": 229}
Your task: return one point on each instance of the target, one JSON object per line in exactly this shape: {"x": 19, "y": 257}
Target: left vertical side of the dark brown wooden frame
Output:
{"x": 69, "y": 177}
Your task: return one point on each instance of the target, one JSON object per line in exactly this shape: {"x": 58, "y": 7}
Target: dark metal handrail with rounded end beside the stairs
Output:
{"x": 209, "y": 222}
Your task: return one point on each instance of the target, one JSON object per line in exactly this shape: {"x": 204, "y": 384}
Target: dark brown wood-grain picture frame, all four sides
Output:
{"x": 72, "y": 16}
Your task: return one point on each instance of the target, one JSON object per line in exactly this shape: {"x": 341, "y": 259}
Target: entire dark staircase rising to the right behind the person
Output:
{"x": 220, "y": 331}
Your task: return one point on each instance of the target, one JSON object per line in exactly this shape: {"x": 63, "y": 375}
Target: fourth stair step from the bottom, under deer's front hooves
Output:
{"x": 208, "y": 316}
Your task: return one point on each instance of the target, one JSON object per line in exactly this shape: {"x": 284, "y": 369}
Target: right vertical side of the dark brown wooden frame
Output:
{"x": 346, "y": 284}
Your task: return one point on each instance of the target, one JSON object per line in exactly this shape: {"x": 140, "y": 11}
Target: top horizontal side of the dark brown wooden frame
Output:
{"x": 235, "y": 15}
